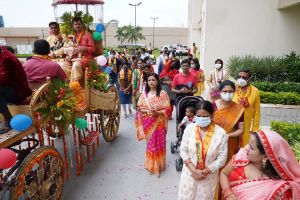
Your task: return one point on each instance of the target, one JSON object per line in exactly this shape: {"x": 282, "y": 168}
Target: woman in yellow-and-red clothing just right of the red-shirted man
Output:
{"x": 199, "y": 74}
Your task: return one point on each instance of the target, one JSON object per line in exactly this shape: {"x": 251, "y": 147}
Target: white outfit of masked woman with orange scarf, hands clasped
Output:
{"x": 189, "y": 188}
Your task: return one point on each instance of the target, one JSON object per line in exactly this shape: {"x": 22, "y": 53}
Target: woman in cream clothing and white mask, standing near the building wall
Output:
{"x": 216, "y": 76}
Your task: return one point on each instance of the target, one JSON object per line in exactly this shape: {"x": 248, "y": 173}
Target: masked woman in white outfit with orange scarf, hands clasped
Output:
{"x": 204, "y": 151}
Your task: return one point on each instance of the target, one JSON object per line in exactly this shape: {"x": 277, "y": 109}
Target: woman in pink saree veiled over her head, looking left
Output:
{"x": 265, "y": 169}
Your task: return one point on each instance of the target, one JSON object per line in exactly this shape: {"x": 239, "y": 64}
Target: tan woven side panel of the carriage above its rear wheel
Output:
{"x": 101, "y": 100}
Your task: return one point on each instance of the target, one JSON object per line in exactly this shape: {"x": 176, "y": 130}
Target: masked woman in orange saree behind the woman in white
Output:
{"x": 230, "y": 116}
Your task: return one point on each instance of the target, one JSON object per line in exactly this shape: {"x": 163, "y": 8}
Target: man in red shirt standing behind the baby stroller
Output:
{"x": 184, "y": 83}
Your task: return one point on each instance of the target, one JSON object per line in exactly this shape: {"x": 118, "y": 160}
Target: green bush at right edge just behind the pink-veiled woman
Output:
{"x": 290, "y": 132}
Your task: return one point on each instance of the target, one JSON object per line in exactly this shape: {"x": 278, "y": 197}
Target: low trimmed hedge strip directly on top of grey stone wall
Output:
{"x": 286, "y": 98}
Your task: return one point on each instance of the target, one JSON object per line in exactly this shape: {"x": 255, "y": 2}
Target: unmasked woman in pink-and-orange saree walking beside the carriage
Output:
{"x": 151, "y": 124}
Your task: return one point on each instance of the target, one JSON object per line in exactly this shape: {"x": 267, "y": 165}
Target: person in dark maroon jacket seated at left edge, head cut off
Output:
{"x": 13, "y": 85}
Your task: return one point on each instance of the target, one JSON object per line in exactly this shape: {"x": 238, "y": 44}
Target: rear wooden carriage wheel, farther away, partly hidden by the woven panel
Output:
{"x": 110, "y": 119}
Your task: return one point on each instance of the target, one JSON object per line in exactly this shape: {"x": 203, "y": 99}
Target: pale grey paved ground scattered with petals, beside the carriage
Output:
{"x": 117, "y": 173}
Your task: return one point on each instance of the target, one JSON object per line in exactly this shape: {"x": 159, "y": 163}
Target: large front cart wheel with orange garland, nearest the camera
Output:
{"x": 41, "y": 176}
